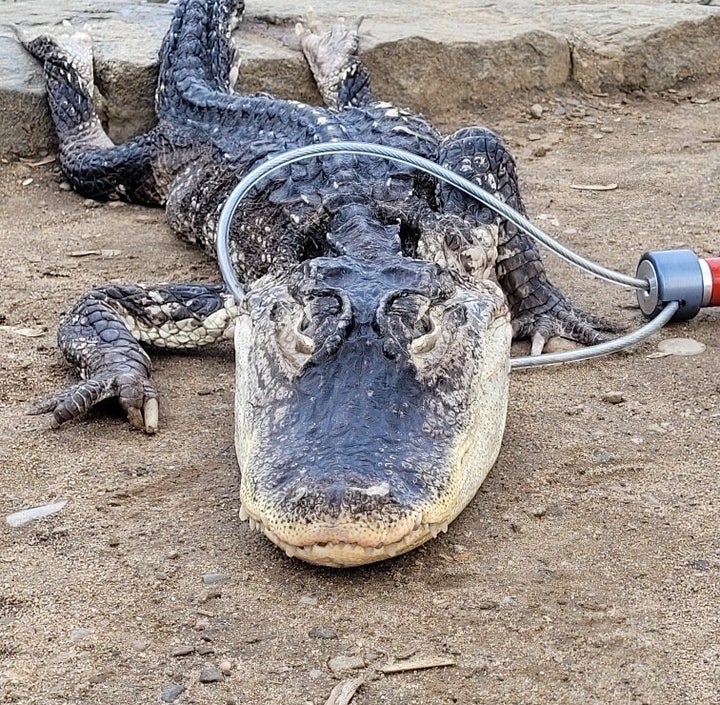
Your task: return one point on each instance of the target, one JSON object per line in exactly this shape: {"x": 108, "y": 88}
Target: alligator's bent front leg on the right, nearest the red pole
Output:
{"x": 539, "y": 310}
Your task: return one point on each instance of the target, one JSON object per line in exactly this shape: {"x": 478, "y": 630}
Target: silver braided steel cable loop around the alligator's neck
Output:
{"x": 259, "y": 173}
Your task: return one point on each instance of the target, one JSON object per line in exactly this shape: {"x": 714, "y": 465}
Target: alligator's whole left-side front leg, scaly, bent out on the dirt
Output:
{"x": 101, "y": 337}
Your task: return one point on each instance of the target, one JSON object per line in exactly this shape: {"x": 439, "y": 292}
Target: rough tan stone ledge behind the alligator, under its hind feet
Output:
{"x": 429, "y": 57}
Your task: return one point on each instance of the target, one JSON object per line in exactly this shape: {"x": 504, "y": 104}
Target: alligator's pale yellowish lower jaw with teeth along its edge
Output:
{"x": 343, "y": 554}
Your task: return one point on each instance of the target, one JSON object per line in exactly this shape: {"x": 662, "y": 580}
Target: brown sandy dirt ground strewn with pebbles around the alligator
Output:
{"x": 585, "y": 571}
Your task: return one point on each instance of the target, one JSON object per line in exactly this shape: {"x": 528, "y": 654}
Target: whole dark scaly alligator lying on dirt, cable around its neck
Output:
{"x": 372, "y": 344}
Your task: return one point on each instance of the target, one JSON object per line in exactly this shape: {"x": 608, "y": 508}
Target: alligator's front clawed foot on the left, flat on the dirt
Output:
{"x": 136, "y": 394}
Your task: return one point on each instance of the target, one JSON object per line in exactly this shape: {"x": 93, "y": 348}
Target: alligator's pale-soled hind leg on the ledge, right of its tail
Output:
{"x": 340, "y": 75}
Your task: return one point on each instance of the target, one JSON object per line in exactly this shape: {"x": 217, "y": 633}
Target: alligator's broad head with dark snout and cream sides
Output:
{"x": 370, "y": 404}
